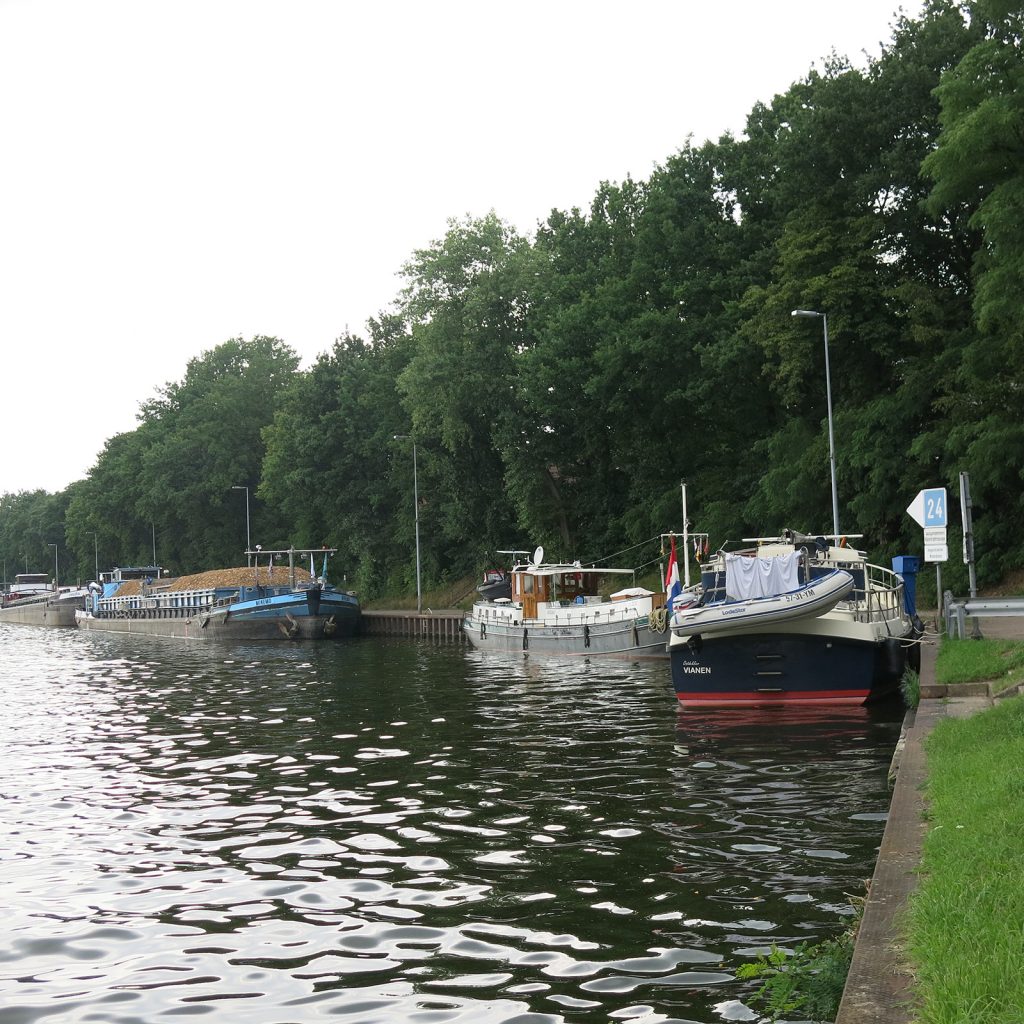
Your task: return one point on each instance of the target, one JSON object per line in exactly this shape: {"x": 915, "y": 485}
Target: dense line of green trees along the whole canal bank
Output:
{"x": 559, "y": 388}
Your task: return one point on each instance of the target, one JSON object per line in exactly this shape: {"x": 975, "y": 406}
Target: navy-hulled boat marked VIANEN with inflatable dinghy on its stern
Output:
{"x": 797, "y": 619}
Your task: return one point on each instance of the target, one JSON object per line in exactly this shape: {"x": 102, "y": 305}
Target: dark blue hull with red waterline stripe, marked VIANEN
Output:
{"x": 785, "y": 668}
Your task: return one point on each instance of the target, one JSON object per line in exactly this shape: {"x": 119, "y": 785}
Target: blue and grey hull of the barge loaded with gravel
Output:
{"x": 272, "y": 619}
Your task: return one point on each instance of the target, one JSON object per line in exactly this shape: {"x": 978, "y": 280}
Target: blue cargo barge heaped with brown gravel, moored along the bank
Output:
{"x": 259, "y": 603}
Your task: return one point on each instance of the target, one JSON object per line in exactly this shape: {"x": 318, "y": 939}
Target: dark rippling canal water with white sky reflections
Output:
{"x": 387, "y": 831}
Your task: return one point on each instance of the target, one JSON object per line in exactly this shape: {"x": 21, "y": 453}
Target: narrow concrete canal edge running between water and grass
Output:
{"x": 879, "y": 989}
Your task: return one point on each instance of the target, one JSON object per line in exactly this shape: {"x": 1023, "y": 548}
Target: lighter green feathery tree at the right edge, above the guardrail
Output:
{"x": 977, "y": 172}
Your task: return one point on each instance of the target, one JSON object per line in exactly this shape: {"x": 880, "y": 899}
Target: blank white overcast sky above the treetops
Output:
{"x": 177, "y": 174}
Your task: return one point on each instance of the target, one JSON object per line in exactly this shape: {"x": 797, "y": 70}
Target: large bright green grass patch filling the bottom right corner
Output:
{"x": 966, "y": 922}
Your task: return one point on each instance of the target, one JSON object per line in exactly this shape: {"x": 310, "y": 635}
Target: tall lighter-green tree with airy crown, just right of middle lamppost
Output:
{"x": 466, "y": 306}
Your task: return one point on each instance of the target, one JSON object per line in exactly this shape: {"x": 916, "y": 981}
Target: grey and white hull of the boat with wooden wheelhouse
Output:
{"x": 627, "y": 639}
